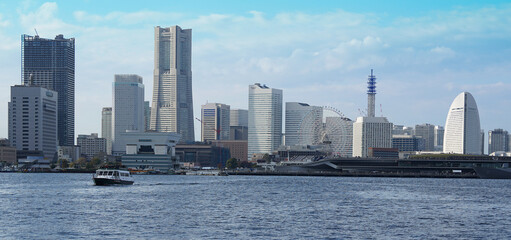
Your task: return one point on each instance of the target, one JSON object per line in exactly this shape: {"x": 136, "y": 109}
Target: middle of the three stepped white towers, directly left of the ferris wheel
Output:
{"x": 296, "y": 131}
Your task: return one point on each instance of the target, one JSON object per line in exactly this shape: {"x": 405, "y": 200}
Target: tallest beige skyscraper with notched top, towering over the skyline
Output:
{"x": 172, "y": 106}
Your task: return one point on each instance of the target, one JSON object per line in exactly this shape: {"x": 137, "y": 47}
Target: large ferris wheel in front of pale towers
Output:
{"x": 327, "y": 128}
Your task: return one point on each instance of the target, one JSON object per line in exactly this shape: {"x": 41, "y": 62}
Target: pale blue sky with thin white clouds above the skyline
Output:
{"x": 424, "y": 53}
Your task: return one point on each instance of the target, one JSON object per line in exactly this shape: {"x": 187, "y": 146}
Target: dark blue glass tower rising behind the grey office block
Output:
{"x": 51, "y": 63}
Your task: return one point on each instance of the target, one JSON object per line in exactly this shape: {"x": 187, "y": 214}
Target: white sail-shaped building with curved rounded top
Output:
{"x": 462, "y": 128}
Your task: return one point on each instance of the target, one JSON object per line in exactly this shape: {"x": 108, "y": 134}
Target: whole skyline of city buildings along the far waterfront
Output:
{"x": 160, "y": 134}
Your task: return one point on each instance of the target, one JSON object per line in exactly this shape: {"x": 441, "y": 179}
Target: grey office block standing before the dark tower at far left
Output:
{"x": 33, "y": 119}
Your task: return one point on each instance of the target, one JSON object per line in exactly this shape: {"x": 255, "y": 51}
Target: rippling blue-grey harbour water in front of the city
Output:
{"x": 69, "y": 206}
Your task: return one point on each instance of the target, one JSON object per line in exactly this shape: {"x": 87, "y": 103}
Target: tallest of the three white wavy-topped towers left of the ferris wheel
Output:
{"x": 264, "y": 119}
